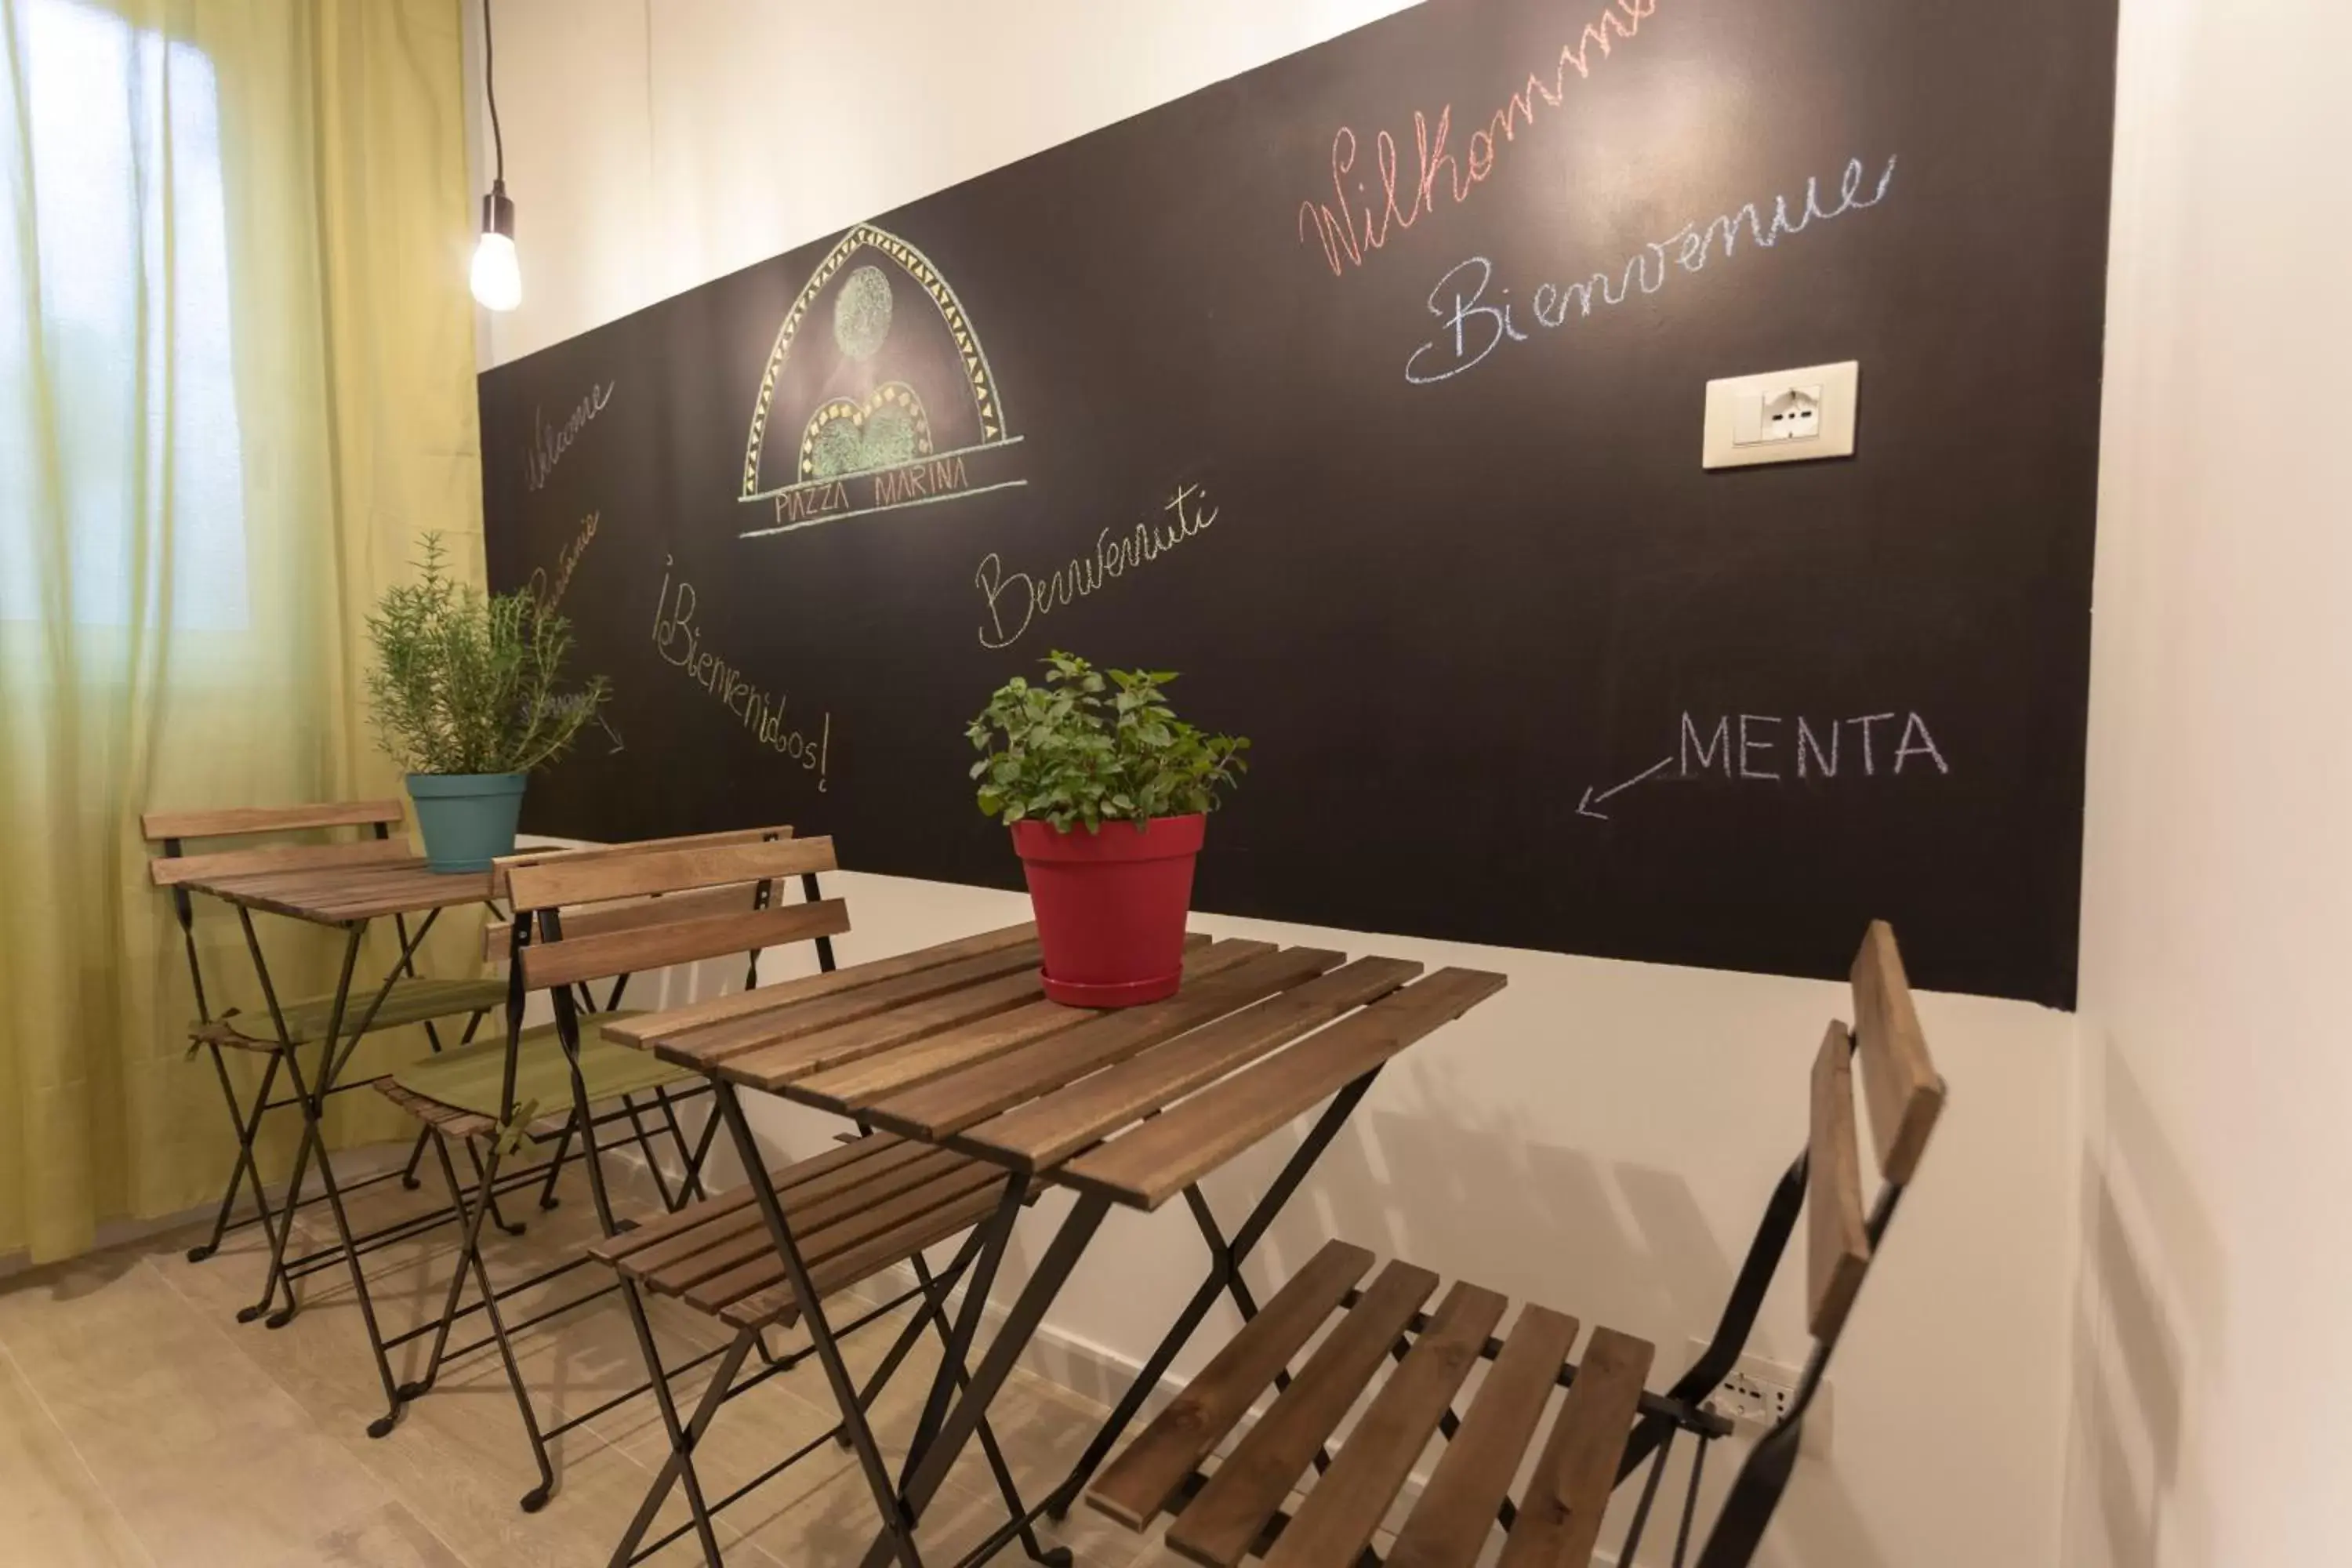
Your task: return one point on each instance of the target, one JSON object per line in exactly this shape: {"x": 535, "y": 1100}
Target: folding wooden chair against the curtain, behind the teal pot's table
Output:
{"x": 410, "y": 998}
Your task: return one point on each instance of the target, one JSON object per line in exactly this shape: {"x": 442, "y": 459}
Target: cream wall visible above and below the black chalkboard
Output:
{"x": 1603, "y": 1137}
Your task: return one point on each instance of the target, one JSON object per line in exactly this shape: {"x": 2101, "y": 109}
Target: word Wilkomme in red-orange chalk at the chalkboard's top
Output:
{"x": 1347, "y": 239}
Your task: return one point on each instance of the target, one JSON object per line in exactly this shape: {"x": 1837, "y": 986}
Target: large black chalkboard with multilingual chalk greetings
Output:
{"x": 1365, "y": 391}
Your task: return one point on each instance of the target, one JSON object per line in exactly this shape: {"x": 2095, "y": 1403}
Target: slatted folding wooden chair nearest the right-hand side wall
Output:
{"x": 1608, "y": 1428}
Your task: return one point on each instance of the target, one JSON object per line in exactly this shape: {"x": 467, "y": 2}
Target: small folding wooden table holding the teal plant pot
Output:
{"x": 347, "y": 899}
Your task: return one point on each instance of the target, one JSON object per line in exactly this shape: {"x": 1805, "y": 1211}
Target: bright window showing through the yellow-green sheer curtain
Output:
{"x": 114, "y": 330}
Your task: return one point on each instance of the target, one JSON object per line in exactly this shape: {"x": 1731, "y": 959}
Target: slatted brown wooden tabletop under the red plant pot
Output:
{"x": 956, "y": 1047}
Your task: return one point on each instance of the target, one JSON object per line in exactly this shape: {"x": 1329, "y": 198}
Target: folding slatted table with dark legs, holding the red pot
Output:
{"x": 958, "y": 1047}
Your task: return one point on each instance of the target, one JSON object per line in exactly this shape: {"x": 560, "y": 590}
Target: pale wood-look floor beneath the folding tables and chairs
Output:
{"x": 142, "y": 1426}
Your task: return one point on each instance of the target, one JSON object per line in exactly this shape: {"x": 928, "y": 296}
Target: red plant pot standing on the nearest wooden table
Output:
{"x": 1111, "y": 906}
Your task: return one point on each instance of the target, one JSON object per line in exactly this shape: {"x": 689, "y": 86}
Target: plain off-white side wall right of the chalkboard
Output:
{"x": 2219, "y": 911}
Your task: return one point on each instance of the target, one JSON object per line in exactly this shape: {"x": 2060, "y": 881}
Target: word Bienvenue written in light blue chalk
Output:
{"x": 1476, "y": 328}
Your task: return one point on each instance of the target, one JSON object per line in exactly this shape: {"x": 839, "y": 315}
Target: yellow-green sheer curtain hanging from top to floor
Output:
{"x": 236, "y": 382}
